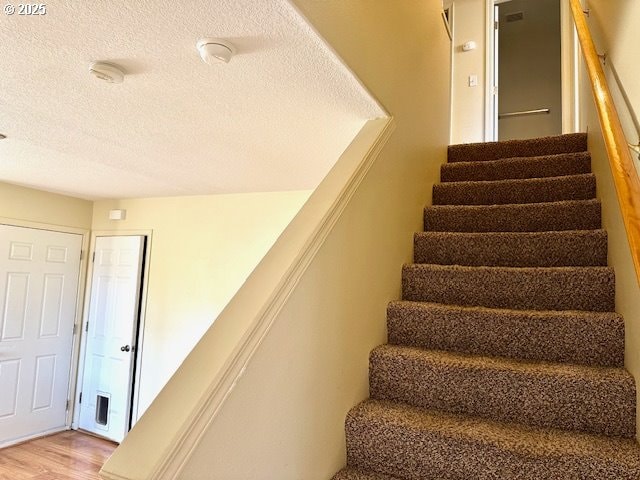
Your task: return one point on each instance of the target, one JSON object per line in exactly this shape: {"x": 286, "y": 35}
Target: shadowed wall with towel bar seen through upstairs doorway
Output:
{"x": 530, "y": 66}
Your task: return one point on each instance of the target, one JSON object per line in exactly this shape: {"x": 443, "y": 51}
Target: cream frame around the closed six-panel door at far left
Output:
{"x": 80, "y": 303}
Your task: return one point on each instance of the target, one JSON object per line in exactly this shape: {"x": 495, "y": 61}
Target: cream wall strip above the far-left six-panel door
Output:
{"x": 30, "y": 205}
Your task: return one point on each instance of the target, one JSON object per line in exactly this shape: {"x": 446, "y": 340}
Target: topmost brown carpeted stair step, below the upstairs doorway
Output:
{"x": 478, "y": 152}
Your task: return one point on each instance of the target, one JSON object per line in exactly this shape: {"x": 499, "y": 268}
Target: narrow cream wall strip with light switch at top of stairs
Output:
{"x": 467, "y": 112}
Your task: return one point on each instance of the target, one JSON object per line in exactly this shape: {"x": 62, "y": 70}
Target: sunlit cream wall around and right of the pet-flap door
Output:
{"x": 202, "y": 250}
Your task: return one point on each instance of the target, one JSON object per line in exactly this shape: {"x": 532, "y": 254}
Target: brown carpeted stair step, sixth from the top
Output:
{"x": 522, "y": 288}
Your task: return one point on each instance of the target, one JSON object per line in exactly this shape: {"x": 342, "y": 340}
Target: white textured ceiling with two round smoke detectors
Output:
{"x": 275, "y": 118}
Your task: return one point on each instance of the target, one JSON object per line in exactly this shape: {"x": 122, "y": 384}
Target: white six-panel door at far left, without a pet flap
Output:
{"x": 39, "y": 272}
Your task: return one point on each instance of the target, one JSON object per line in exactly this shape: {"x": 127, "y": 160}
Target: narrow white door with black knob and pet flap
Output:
{"x": 111, "y": 333}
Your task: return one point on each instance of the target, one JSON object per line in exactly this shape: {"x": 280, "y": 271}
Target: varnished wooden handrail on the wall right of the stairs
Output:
{"x": 625, "y": 176}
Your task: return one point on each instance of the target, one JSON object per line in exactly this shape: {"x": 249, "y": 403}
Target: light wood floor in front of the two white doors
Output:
{"x": 68, "y": 455}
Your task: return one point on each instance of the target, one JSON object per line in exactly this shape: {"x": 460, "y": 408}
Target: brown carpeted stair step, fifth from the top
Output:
{"x": 512, "y": 249}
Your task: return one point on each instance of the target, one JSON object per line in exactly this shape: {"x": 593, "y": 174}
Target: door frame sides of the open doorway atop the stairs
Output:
{"x": 569, "y": 58}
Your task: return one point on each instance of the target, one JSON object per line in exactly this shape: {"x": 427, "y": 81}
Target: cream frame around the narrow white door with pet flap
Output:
{"x": 135, "y": 402}
